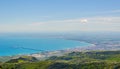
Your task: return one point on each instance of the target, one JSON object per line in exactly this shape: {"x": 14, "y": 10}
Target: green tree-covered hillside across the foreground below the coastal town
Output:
{"x": 73, "y": 60}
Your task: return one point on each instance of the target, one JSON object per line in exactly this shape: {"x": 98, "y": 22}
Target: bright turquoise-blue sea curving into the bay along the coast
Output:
{"x": 27, "y": 45}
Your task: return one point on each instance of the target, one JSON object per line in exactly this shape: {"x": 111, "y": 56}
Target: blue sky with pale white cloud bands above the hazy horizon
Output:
{"x": 31, "y": 16}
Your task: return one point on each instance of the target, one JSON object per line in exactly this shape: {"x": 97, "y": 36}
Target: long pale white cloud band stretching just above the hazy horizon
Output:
{"x": 91, "y": 24}
